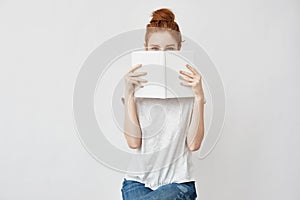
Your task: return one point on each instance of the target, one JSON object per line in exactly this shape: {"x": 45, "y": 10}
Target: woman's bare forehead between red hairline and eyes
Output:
{"x": 161, "y": 38}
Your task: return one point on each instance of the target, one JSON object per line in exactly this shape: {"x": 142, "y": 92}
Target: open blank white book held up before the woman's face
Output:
{"x": 162, "y": 69}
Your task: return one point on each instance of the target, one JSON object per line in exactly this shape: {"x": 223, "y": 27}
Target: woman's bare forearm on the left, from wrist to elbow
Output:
{"x": 132, "y": 128}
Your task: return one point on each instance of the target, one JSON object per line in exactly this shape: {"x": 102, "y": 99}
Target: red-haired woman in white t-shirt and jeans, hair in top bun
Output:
{"x": 183, "y": 126}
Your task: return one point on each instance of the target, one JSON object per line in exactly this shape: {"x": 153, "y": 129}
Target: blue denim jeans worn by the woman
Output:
{"x": 134, "y": 190}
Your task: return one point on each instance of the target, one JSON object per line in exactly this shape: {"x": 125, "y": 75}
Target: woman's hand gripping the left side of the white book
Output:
{"x": 132, "y": 80}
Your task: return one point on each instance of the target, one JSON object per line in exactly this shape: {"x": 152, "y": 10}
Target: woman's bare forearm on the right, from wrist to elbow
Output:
{"x": 196, "y": 129}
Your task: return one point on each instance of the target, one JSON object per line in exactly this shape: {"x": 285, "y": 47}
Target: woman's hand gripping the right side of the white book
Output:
{"x": 192, "y": 80}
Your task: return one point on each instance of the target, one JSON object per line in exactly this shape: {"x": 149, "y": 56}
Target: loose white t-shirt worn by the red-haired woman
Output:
{"x": 164, "y": 155}
